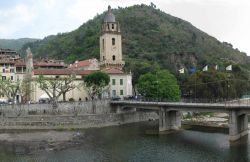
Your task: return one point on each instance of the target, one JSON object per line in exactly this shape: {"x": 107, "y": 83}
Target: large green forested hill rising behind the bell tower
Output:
{"x": 149, "y": 35}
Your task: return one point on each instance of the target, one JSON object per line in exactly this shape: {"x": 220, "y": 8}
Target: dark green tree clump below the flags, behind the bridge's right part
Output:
{"x": 214, "y": 84}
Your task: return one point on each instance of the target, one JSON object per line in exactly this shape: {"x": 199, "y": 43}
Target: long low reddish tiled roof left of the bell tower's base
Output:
{"x": 61, "y": 72}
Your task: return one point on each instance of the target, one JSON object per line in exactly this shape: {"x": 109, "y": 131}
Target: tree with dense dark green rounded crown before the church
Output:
{"x": 95, "y": 83}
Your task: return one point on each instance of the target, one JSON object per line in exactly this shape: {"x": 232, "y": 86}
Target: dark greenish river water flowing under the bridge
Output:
{"x": 139, "y": 142}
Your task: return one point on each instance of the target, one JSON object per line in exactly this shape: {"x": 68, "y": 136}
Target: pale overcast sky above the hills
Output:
{"x": 227, "y": 20}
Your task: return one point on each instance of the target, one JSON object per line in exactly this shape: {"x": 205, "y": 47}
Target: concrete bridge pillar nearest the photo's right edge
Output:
{"x": 238, "y": 125}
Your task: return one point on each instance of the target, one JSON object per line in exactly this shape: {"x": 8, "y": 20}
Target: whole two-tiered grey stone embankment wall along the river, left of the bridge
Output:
{"x": 68, "y": 116}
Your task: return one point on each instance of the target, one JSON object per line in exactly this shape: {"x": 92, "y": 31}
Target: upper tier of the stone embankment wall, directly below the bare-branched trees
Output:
{"x": 66, "y": 108}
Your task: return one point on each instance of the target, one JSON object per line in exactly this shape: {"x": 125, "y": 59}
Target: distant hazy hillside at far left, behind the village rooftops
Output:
{"x": 15, "y": 44}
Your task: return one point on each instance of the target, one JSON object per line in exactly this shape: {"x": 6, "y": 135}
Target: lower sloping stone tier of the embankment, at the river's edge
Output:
{"x": 71, "y": 122}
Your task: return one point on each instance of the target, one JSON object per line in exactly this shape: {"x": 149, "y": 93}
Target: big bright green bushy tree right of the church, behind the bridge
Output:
{"x": 162, "y": 85}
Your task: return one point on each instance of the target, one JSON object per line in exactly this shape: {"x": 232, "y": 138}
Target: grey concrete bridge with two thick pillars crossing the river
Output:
{"x": 170, "y": 117}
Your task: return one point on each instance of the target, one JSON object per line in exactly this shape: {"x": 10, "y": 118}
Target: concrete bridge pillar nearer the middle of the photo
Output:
{"x": 169, "y": 120}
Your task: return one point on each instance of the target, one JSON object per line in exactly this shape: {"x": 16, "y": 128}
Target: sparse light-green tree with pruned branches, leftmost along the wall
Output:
{"x": 10, "y": 89}
